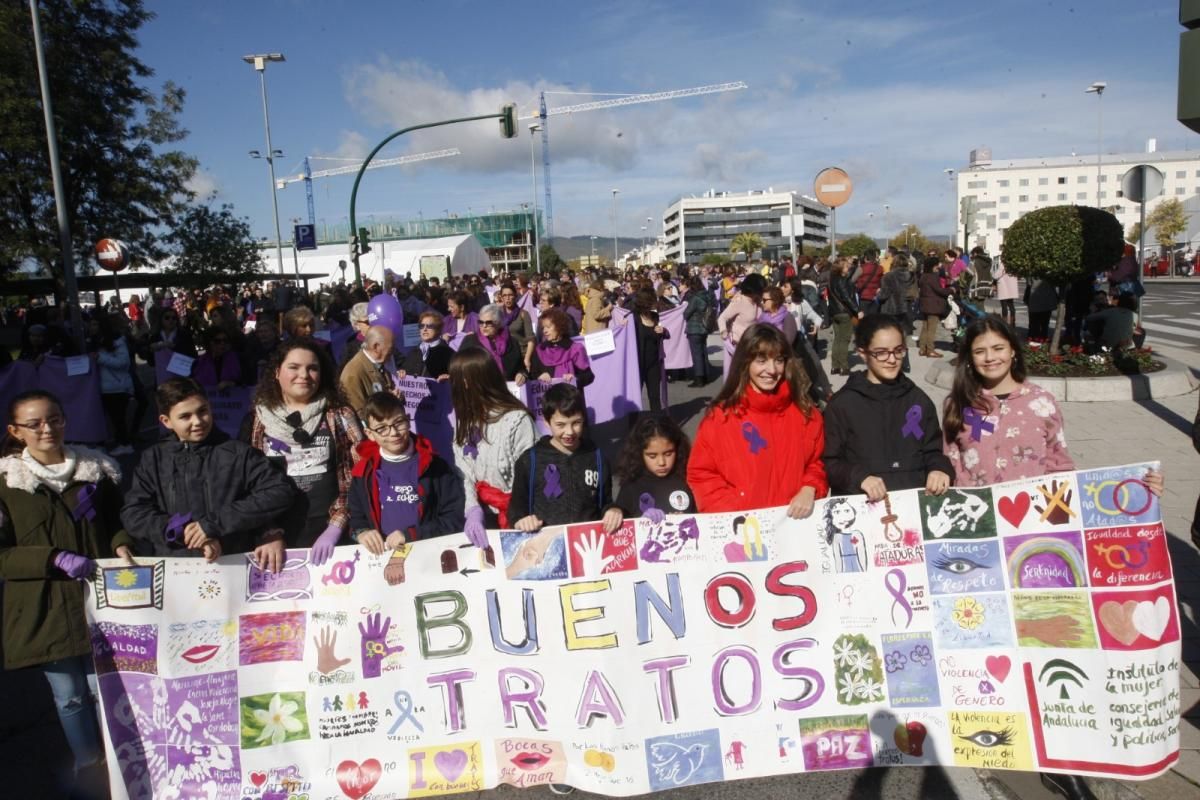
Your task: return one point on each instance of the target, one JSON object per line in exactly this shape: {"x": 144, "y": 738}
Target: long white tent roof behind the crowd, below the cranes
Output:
{"x": 403, "y": 256}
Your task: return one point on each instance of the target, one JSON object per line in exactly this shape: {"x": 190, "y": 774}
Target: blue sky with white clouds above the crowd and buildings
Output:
{"x": 893, "y": 93}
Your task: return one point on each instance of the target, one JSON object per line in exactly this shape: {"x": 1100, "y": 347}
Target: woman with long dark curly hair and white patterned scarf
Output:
{"x": 304, "y": 426}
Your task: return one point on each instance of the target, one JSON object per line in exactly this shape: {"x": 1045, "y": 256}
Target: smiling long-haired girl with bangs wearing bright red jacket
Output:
{"x": 761, "y": 442}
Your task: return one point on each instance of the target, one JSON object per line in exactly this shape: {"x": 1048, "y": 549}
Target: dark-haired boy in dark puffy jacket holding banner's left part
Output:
{"x": 202, "y": 491}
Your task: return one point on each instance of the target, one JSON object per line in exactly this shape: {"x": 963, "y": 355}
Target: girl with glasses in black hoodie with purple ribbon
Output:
{"x": 881, "y": 429}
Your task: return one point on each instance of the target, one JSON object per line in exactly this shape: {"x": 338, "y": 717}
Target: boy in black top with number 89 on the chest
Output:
{"x": 565, "y": 478}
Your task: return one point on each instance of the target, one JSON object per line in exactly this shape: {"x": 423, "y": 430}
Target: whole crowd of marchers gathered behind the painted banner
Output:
{"x": 327, "y": 450}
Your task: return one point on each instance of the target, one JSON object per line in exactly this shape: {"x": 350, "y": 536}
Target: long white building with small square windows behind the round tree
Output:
{"x": 1006, "y": 190}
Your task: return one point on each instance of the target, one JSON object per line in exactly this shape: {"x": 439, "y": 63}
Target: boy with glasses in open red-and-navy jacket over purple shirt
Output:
{"x": 401, "y": 491}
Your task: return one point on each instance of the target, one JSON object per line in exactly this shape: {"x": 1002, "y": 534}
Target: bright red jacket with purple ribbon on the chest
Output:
{"x": 759, "y": 455}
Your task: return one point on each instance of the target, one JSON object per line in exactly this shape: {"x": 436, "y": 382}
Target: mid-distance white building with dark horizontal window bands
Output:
{"x": 694, "y": 227}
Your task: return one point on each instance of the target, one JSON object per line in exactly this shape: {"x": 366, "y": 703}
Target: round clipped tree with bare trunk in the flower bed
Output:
{"x": 1061, "y": 245}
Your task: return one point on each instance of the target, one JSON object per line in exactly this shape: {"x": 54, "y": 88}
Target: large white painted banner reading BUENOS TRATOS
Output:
{"x": 1030, "y": 627}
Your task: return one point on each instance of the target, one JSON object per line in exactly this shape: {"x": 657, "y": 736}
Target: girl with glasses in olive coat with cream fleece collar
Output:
{"x": 59, "y": 512}
